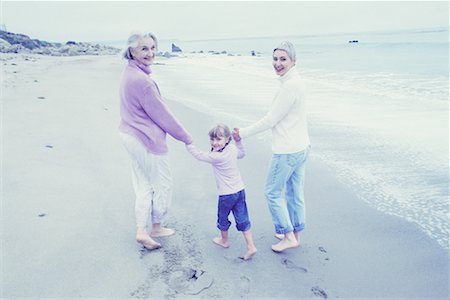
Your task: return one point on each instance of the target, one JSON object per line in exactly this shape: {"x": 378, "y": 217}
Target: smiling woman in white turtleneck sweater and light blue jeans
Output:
{"x": 290, "y": 146}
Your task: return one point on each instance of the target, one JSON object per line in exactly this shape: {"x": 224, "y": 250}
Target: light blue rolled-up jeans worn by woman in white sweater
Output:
{"x": 287, "y": 172}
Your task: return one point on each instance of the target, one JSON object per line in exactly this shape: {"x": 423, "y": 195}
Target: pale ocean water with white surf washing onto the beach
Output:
{"x": 378, "y": 109}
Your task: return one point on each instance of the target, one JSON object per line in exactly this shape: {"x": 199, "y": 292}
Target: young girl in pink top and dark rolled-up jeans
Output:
{"x": 223, "y": 158}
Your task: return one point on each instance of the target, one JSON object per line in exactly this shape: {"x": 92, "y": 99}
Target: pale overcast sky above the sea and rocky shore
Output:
{"x": 94, "y": 21}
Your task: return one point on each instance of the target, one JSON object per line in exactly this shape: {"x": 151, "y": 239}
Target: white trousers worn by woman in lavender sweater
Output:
{"x": 152, "y": 182}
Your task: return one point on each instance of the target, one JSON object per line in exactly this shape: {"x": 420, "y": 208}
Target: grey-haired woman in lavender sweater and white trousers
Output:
{"x": 145, "y": 122}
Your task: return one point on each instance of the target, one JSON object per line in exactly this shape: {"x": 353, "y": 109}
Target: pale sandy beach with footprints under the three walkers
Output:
{"x": 67, "y": 207}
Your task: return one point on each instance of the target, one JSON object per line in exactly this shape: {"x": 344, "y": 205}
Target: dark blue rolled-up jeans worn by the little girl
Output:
{"x": 233, "y": 203}
